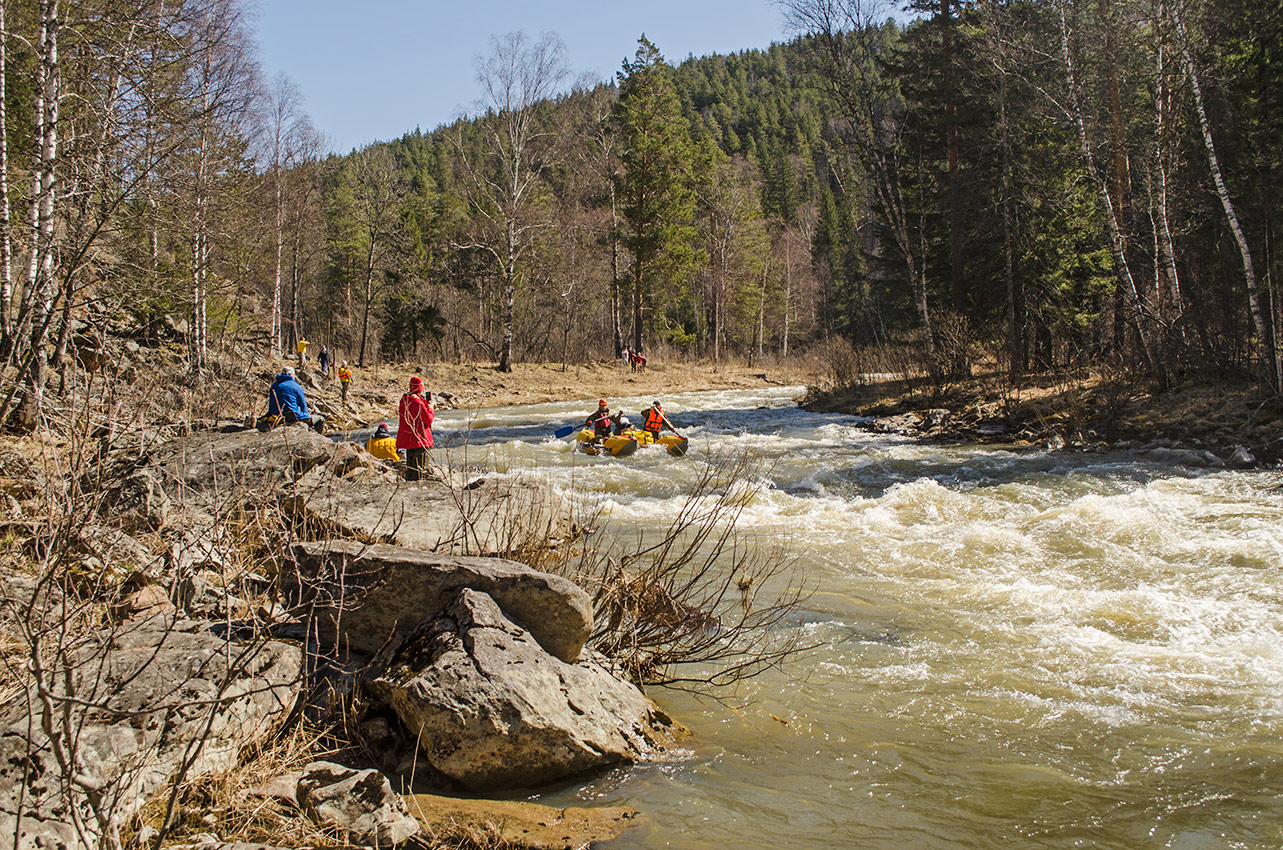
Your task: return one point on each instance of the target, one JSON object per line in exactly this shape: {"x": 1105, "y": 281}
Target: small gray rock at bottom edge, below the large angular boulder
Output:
{"x": 361, "y": 804}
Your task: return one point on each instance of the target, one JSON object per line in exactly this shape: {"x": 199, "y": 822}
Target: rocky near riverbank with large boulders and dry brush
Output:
{"x": 215, "y": 592}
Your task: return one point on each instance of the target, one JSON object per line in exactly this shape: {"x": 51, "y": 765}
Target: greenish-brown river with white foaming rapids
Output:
{"x": 1014, "y": 648}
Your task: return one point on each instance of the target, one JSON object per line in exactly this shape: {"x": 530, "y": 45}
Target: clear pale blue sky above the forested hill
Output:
{"x": 375, "y": 70}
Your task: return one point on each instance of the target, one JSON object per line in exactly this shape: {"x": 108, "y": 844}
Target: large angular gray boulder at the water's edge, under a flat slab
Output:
{"x": 491, "y": 710}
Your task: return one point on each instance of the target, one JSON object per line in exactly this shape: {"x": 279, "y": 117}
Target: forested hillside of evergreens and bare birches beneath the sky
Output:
{"x": 1028, "y": 185}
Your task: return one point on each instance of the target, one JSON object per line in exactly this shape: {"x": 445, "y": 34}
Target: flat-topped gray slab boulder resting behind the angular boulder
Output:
{"x": 362, "y": 596}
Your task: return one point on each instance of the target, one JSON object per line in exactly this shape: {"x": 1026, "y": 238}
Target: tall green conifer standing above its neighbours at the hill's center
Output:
{"x": 654, "y": 184}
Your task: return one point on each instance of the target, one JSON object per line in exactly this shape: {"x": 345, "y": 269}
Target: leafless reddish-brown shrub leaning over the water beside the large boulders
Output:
{"x": 700, "y": 603}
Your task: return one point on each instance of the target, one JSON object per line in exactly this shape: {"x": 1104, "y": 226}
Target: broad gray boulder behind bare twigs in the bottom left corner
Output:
{"x": 152, "y": 702}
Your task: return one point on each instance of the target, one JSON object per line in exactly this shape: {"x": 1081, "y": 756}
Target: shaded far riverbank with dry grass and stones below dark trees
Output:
{"x": 1198, "y": 424}
